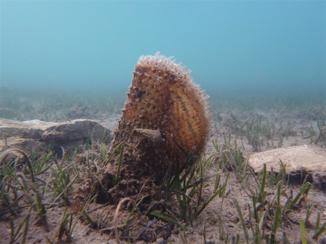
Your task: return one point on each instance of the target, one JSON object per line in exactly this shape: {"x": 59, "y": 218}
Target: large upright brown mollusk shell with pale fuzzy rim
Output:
{"x": 163, "y": 103}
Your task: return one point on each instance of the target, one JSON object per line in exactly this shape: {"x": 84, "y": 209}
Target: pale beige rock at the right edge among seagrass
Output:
{"x": 301, "y": 162}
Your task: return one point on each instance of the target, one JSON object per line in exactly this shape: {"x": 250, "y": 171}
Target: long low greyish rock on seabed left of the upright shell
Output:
{"x": 35, "y": 133}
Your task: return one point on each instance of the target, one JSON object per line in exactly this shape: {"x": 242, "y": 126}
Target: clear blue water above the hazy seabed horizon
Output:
{"x": 232, "y": 47}
